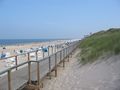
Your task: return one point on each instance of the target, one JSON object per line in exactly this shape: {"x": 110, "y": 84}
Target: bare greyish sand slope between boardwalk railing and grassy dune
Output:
{"x": 103, "y": 75}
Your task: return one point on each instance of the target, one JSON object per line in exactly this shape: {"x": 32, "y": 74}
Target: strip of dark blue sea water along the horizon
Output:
{"x": 22, "y": 41}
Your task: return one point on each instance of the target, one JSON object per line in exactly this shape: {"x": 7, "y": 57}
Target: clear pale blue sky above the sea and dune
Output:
{"x": 53, "y": 19}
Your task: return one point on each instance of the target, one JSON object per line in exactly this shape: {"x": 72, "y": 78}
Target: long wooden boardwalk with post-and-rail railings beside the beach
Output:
{"x": 34, "y": 70}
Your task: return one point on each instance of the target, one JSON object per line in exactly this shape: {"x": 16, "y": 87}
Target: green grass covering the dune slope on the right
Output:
{"x": 98, "y": 44}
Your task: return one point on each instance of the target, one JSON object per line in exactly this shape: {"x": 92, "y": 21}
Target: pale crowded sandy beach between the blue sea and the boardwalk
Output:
{"x": 22, "y": 58}
